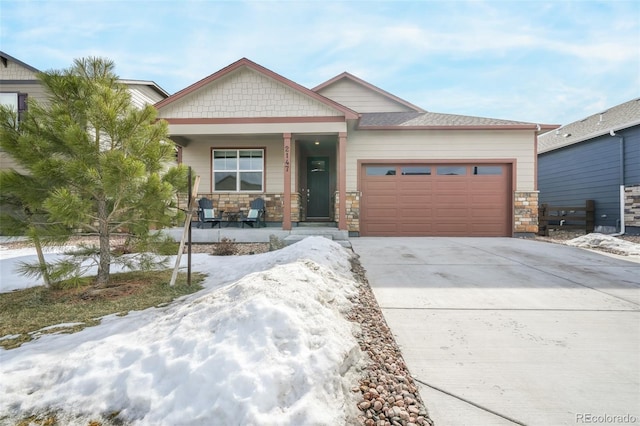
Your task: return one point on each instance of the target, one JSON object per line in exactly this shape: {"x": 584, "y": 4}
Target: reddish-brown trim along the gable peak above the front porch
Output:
{"x": 244, "y": 62}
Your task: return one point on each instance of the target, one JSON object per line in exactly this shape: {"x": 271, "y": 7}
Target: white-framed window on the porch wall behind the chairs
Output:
{"x": 236, "y": 170}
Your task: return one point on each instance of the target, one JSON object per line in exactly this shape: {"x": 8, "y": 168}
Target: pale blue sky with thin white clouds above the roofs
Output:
{"x": 551, "y": 62}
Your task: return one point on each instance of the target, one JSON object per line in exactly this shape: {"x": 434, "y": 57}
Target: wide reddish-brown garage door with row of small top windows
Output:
{"x": 436, "y": 200}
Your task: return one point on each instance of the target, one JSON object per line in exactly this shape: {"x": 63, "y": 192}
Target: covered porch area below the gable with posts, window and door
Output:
{"x": 301, "y": 177}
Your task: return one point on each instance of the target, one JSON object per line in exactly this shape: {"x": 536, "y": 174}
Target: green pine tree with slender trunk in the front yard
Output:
{"x": 102, "y": 163}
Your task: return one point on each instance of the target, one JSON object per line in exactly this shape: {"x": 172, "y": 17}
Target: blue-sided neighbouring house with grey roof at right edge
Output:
{"x": 596, "y": 158}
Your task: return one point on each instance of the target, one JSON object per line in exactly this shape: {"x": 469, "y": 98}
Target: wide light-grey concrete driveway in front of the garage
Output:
{"x": 503, "y": 331}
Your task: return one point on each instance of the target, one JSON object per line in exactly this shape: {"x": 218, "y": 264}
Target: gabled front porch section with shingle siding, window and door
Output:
{"x": 249, "y": 132}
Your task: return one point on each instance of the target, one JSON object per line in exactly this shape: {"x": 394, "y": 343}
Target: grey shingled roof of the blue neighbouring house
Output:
{"x": 613, "y": 119}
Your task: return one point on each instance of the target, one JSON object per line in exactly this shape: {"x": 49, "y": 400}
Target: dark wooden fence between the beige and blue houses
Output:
{"x": 560, "y": 218}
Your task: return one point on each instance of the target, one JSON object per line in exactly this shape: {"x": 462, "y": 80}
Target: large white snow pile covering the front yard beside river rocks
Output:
{"x": 265, "y": 343}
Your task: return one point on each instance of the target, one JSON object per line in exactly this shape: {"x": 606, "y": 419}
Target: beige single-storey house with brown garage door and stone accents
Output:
{"x": 351, "y": 154}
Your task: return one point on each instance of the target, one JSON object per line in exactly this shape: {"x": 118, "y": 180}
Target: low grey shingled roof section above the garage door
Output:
{"x": 437, "y": 121}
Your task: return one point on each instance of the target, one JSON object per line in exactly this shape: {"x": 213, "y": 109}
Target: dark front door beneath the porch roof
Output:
{"x": 318, "y": 199}
